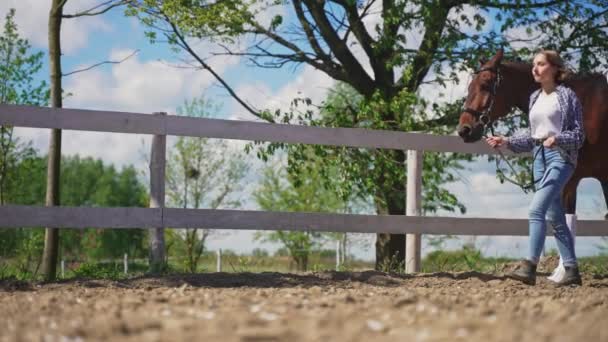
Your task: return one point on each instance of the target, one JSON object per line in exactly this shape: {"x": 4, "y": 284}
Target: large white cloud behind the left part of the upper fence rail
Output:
{"x": 133, "y": 86}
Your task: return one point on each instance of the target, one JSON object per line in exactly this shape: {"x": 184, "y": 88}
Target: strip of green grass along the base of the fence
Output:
{"x": 466, "y": 259}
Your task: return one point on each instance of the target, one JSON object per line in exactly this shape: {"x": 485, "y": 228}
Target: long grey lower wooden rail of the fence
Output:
{"x": 84, "y": 217}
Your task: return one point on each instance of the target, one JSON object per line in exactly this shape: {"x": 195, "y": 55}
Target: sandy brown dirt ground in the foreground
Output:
{"x": 328, "y": 306}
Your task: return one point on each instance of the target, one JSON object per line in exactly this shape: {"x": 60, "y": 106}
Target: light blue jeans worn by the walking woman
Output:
{"x": 551, "y": 174}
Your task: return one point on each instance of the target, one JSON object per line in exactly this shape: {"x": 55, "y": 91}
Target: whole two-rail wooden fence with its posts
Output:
{"x": 158, "y": 216}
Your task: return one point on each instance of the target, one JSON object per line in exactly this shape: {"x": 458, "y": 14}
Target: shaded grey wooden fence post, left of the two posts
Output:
{"x": 157, "y": 199}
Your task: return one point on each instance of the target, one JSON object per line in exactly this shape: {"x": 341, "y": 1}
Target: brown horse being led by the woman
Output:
{"x": 499, "y": 86}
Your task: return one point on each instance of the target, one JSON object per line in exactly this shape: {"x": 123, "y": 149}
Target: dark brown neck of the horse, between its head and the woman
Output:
{"x": 518, "y": 78}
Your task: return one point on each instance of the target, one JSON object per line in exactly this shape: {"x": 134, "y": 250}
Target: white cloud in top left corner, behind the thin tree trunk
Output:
{"x": 32, "y": 17}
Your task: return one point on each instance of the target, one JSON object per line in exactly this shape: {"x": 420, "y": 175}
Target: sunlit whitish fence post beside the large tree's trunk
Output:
{"x": 412, "y": 208}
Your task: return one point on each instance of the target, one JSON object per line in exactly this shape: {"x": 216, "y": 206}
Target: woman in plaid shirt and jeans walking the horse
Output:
{"x": 555, "y": 136}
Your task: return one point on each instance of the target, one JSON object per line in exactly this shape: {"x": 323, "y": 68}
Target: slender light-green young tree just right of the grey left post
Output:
{"x": 201, "y": 172}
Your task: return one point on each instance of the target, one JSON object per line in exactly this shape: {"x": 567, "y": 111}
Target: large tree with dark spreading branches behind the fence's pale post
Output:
{"x": 413, "y": 43}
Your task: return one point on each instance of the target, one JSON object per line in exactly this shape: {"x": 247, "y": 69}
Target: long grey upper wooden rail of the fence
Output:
{"x": 120, "y": 122}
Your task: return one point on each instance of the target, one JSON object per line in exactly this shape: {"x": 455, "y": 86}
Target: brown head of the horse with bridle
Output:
{"x": 483, "y": 104}
